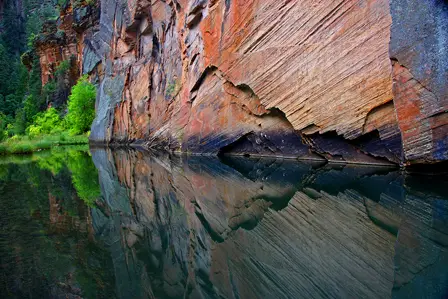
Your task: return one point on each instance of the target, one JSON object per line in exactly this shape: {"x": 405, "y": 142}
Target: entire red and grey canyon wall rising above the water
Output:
{"x": 349, "y": 80}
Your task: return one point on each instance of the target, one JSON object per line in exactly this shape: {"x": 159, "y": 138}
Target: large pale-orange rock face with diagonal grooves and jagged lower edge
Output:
{"x": 314, "y": 61}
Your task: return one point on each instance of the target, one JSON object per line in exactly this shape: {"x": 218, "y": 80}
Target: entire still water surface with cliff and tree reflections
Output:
{"x": 126, "y": 224}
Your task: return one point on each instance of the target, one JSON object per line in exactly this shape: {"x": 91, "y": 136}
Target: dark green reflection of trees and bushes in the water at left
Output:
{"x": 47, "y": 248}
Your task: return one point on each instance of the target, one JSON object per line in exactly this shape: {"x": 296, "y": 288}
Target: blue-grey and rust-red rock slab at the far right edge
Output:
{"x": 418, "y": 50}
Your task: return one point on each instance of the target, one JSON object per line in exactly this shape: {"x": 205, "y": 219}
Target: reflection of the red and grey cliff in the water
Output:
{"x": 245, "y": 228}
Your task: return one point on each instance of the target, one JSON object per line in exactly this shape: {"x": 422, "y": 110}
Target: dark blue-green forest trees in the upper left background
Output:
{"x": 20, "y": 90}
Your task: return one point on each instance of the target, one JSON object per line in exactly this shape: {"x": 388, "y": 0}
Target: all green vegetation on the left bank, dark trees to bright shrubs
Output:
{"x": 35, "y": 116}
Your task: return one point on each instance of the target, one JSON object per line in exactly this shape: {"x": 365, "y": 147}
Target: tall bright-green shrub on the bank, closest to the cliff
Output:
{"x": 81, "y": 106}
